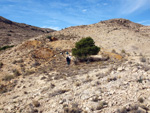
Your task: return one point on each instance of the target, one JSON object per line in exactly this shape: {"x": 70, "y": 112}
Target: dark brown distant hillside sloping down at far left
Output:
{"x": 12, "y": 33}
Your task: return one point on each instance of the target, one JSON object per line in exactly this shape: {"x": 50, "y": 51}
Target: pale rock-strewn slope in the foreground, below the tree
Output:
{"x": 98, "y": 87}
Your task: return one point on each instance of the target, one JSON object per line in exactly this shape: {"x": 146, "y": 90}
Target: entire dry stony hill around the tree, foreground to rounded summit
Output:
{"x": 35, "y": 78}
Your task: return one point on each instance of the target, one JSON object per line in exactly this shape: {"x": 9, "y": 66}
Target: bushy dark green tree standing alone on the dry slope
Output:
{"x": 84, "y": 48}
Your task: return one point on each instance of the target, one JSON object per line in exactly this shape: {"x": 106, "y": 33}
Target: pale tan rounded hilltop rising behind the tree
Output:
{"x": 115, "y": 34}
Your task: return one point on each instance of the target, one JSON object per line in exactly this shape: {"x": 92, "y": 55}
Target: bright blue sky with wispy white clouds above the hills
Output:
{"x": 59, "y": 14}
